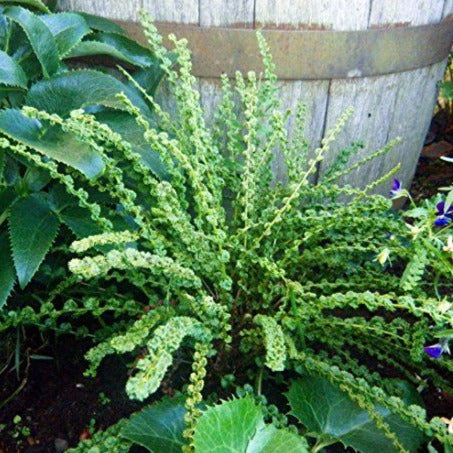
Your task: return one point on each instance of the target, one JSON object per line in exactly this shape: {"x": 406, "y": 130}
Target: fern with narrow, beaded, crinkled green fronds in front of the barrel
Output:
{"x": 249, "y": 276}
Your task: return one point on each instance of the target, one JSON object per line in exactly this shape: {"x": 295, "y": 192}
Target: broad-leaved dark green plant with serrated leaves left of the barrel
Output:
{"x": 41, "y": 66}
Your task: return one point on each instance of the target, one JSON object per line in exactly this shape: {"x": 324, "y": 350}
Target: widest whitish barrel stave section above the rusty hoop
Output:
{"x": 313, "y": 14}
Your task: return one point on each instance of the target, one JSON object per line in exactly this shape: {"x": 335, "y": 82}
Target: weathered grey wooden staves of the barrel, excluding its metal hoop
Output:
{"x": 385, "y": 106}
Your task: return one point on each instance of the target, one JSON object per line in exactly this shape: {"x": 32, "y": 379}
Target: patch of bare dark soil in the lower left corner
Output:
{"x": 57, "y": 404}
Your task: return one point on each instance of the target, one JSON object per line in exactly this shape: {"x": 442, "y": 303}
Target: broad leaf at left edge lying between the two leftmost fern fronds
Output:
{"x": 52, "y": 142}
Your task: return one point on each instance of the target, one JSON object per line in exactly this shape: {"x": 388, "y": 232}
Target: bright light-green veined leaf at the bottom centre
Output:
{"x": 237, "y": 426}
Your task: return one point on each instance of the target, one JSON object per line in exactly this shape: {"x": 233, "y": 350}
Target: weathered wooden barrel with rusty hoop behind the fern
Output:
{"x": 382, "y": 57}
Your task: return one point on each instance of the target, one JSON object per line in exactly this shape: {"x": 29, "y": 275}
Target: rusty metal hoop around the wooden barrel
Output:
{"x": 312, "y": 54}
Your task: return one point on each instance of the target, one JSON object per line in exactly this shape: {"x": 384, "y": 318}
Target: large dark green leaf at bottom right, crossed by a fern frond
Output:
{"x": 329, "y": 413}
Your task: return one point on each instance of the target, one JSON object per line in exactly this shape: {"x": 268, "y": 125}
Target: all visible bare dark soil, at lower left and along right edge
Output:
{"x": 59, "y": 406}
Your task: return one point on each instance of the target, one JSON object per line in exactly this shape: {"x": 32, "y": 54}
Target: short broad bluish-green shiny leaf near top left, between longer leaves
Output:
{"x": 67, "y": 28}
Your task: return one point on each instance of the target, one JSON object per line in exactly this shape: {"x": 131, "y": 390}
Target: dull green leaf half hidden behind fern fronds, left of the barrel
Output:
{"x": 127, "y": 127}
